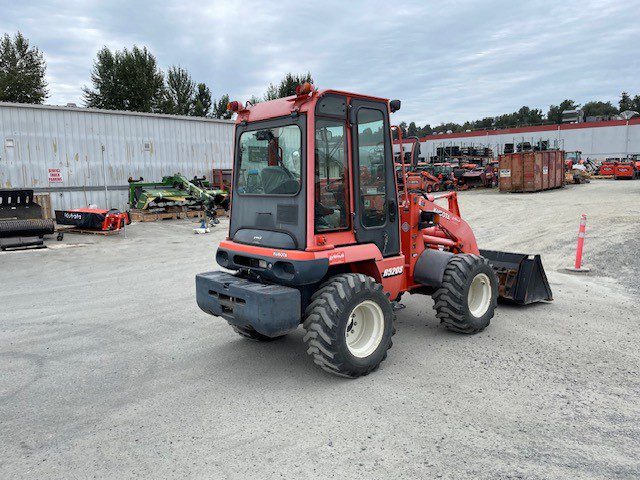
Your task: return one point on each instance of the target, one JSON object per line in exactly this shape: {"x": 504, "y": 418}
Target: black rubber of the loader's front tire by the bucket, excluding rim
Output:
{"x": 452, "y": 298}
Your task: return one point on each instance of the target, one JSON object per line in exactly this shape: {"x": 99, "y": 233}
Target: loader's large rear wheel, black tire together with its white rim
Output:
{"x": 349, "y": 325}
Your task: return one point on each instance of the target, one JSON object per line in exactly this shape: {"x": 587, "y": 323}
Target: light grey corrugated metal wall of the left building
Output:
{"x": 94, "y": 148}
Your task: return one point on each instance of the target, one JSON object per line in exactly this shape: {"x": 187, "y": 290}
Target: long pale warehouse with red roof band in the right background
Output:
{"x": 596, "y": 140}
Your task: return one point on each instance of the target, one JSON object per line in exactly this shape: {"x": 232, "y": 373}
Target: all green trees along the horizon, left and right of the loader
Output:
{"x": 130, "y": 79}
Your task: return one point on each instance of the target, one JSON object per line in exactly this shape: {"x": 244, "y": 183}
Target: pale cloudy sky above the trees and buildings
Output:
{"x": 446, "y": 60}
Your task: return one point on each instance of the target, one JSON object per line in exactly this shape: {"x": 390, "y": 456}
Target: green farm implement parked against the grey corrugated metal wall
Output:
{"x": 177, "y": 191}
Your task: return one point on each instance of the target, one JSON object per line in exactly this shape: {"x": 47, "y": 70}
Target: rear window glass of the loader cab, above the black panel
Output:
{"x": 270, "y": 161}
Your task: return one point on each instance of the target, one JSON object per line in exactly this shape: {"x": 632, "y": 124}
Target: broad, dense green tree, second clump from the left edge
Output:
{"x": 125, "y": 80}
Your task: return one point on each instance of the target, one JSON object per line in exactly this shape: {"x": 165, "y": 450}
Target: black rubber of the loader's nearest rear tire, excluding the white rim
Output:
{"x": 330, "y": 313}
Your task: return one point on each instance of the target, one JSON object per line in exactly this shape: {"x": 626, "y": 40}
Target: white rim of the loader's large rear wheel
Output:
{"x": 364, "y": 329}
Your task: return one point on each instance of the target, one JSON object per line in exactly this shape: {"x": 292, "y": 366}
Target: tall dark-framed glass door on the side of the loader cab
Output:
{"x": 374, "y": 186}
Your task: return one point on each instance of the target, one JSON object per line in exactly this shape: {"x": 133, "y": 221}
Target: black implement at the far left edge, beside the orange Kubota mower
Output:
{"x": 21, "y": 222}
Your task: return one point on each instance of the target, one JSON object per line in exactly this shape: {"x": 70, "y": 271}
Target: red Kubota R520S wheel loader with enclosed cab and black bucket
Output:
{"x": 320, "y": 236}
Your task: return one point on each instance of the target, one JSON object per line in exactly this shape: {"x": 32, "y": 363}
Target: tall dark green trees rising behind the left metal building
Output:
{"x": 127, "y": 79}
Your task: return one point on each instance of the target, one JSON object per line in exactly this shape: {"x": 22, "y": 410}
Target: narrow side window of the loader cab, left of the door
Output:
{"x": 331, "y": 180}
